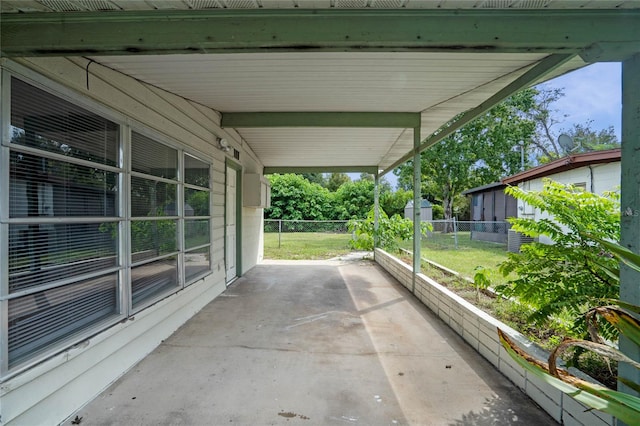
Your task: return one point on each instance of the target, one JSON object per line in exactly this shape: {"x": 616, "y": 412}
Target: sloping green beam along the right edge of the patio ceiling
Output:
{"x": 542, "y": 68}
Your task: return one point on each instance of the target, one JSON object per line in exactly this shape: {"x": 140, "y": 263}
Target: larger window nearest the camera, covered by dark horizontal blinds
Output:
{"x": 63, "y": 220}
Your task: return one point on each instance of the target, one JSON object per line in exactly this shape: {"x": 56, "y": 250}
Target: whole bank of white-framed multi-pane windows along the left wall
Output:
{"x": 65, "y": 225}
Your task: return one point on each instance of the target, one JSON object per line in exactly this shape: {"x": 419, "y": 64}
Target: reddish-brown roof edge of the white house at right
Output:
{"x": 564, "y": 164}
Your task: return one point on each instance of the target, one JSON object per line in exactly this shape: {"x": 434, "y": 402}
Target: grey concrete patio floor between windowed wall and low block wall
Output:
{"x": 314, "y": 343}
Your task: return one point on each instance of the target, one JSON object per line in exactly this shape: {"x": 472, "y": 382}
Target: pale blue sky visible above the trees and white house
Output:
{"x": 590, "y": 93}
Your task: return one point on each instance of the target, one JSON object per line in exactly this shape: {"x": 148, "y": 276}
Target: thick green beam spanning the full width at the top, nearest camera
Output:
{"x": 225, "y": 31}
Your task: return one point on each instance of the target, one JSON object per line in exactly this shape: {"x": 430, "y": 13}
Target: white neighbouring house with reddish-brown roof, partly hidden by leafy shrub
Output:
{"x": 596, "y": 172}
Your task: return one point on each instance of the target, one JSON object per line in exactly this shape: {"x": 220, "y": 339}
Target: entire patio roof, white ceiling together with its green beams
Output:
{"x": 329, "y": 85}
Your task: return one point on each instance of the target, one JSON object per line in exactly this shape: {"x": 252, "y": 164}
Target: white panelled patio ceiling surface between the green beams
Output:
{"x": 438, "y": 85}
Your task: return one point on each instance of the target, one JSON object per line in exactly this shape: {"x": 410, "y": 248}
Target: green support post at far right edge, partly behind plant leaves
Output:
{"x": 630, "y": 203}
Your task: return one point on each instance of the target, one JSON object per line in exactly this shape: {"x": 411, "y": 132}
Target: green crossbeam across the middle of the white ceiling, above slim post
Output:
{"x": 321, "y": 119}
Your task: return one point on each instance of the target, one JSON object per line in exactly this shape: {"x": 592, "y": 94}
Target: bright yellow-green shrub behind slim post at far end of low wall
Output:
{"x": 391, "y": 230}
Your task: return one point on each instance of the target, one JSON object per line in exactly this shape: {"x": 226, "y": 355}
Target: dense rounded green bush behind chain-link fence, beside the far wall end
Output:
{"x": 295, "y": 198}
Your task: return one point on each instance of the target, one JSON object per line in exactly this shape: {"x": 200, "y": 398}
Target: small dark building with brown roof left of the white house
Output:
{"x": 490, "y": 207}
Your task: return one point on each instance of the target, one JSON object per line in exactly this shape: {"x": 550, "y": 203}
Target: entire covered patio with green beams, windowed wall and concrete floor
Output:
{"x": 112, "y": 100}
